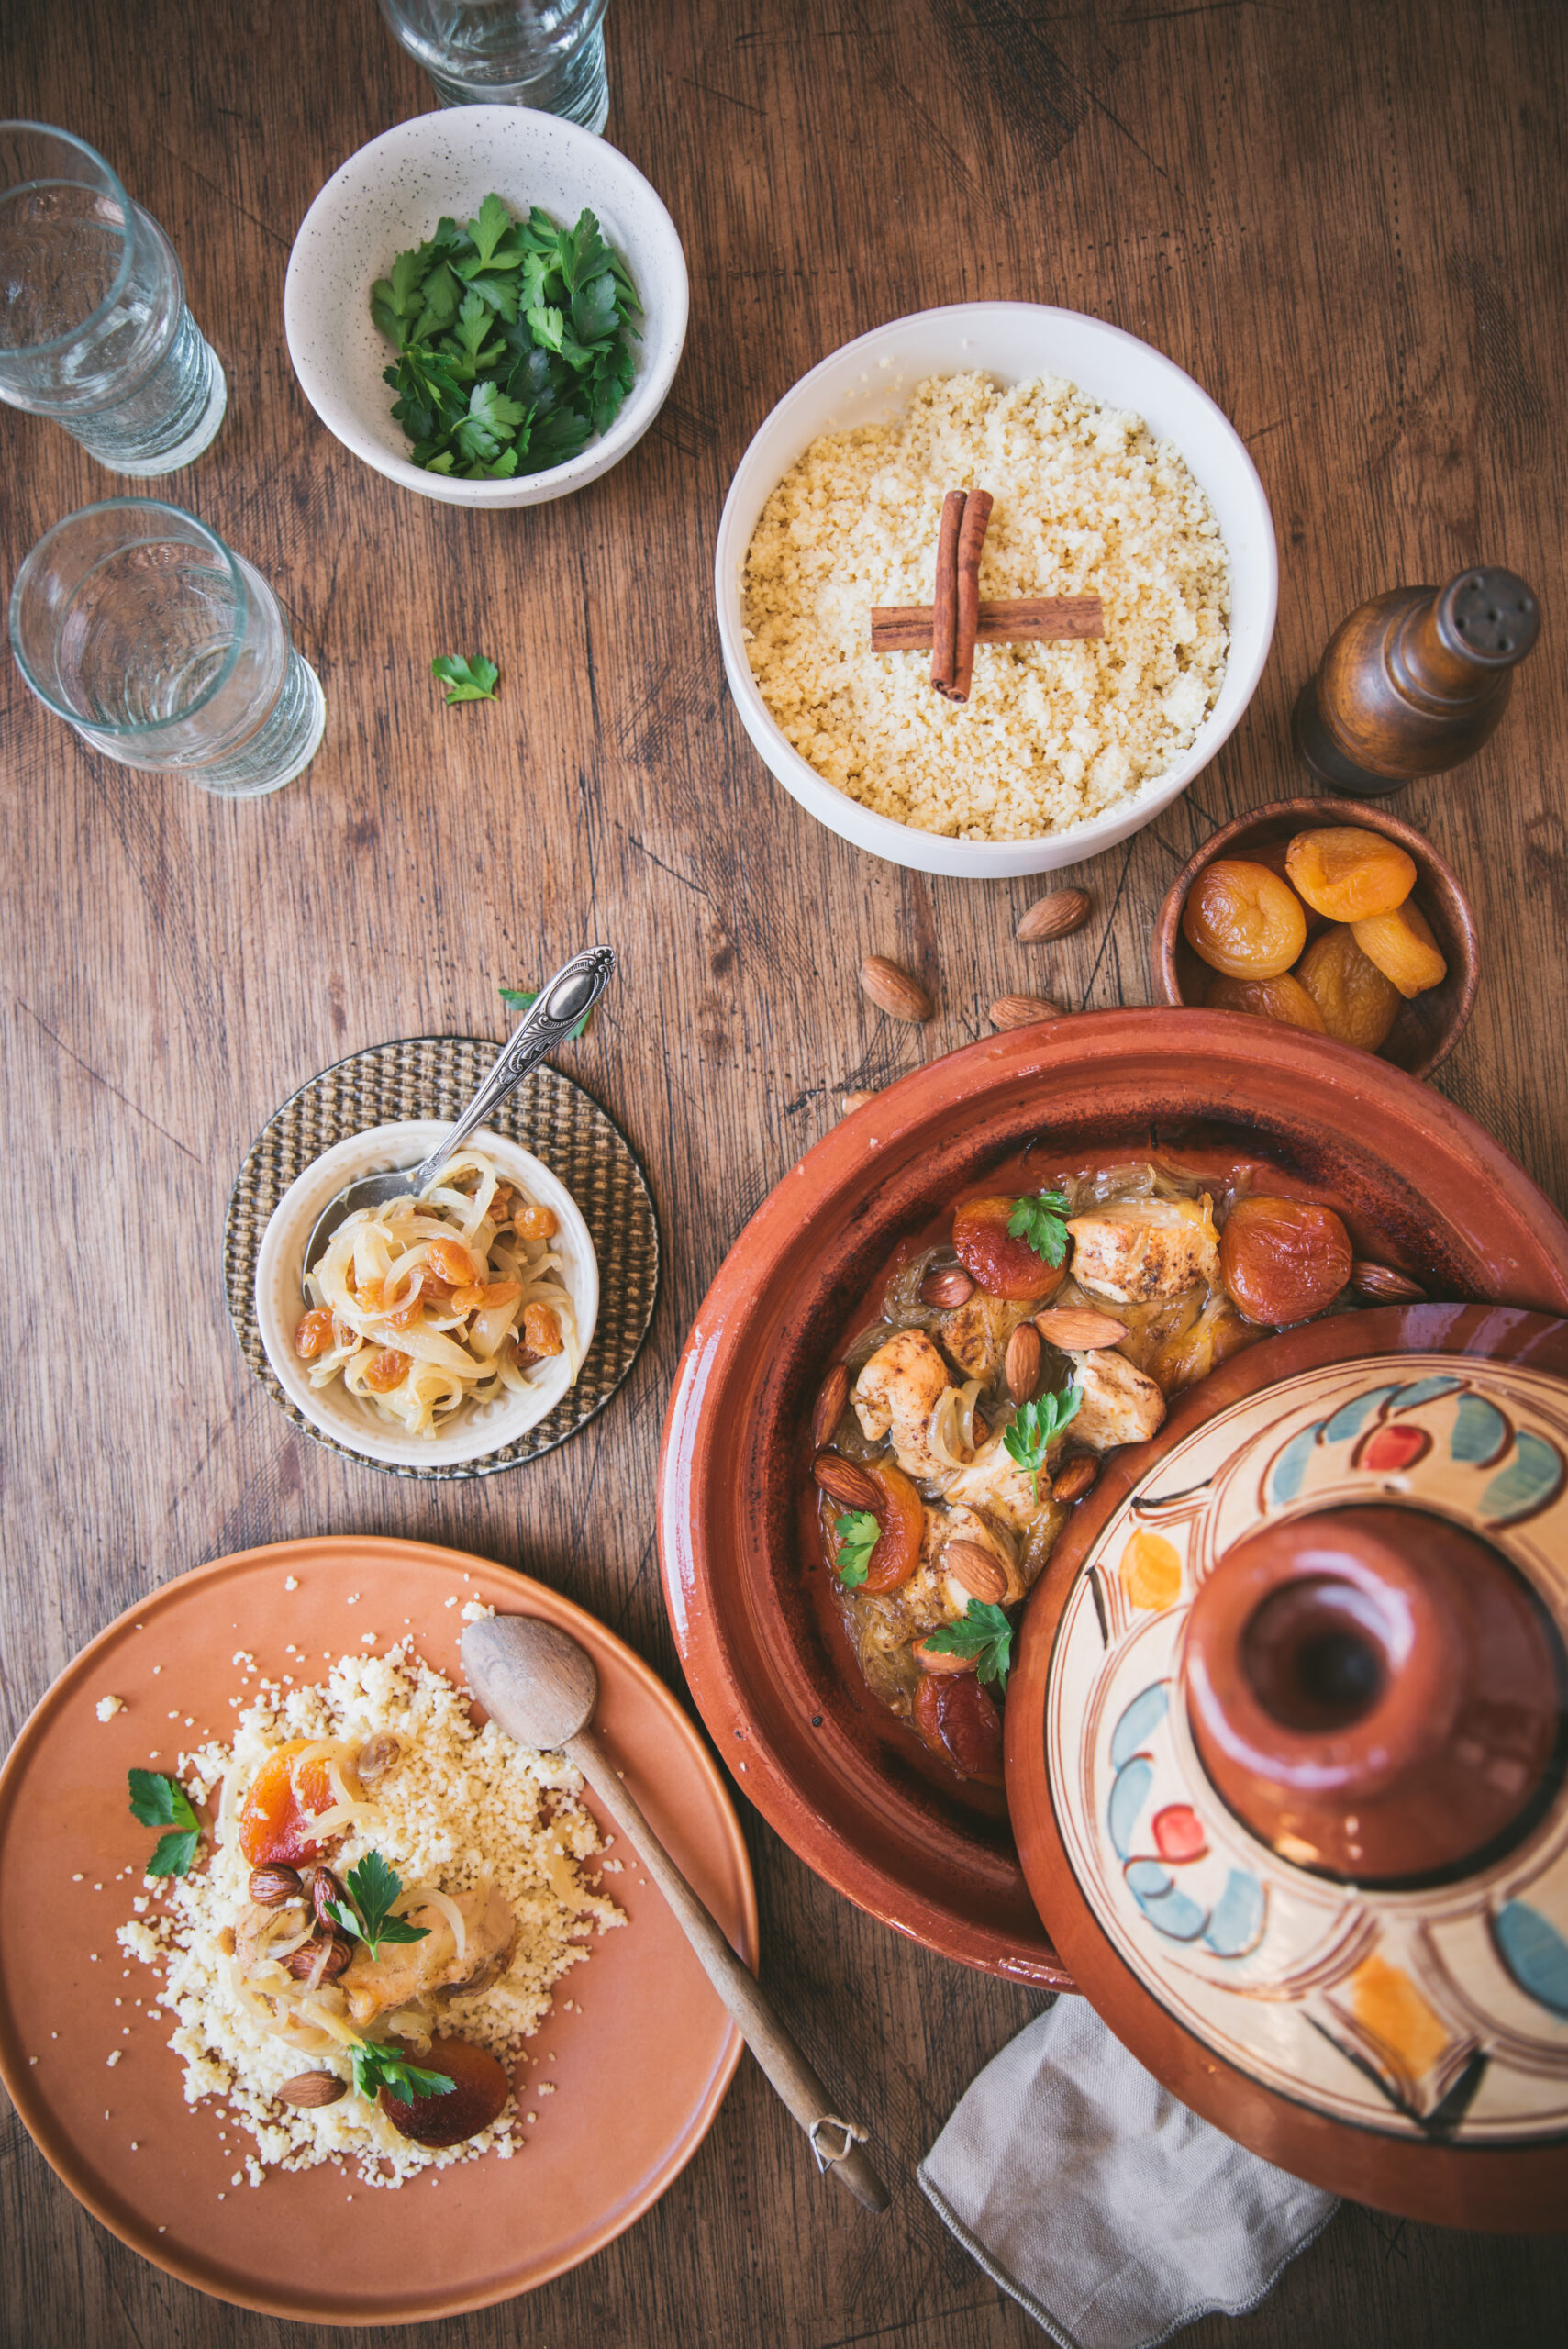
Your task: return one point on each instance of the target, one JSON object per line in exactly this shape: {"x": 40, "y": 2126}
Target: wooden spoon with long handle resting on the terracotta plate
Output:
{"x": 543, "y": 1690}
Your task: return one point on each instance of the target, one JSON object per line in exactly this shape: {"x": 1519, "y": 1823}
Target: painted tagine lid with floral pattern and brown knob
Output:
{"x": 1304, "y": 1728}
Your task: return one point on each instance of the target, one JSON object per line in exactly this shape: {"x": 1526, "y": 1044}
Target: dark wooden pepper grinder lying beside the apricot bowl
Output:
{"x": 1414, "y": 682}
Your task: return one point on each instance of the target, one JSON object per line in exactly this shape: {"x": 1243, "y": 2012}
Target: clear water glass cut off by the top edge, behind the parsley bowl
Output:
{"x": 511, "y": 53}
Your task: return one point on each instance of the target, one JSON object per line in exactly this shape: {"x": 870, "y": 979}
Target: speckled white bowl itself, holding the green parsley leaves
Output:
{"x": 391, "y": 196}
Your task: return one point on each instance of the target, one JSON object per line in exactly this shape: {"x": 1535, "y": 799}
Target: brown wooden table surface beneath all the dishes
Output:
{"x": 1349, "y": 224}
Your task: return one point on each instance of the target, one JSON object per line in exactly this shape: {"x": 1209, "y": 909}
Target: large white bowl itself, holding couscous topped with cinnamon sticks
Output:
{"x": 867, "y": 384}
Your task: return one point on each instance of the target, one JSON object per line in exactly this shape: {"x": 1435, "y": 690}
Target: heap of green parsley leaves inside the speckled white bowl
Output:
{"x": 513, "y": 342}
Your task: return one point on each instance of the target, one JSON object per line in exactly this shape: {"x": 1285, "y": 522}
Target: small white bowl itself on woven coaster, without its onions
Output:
{"x": 281, "y": 1300}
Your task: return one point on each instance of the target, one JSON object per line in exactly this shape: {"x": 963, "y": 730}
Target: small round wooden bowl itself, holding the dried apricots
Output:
{"x": 1428, "y": 1025}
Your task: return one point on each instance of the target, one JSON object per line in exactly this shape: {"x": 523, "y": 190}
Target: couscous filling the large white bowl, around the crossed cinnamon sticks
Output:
{"x": 1088, "y": 502}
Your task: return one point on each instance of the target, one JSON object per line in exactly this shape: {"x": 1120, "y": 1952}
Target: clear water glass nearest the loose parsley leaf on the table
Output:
{"x": 165, "y": 649}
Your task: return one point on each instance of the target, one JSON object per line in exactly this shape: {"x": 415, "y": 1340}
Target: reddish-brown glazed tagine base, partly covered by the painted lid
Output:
{"x": 1421, "y": 1187}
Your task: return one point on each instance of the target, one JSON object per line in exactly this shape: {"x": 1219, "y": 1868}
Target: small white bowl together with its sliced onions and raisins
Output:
{"x": 442, "y": 1408}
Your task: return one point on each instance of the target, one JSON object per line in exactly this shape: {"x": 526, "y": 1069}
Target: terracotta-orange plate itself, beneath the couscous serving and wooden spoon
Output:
{"x": 640, "y": 2071}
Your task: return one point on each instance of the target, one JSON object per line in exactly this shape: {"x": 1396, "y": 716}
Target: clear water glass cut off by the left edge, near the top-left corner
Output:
{"x": 95, "y": 328}
